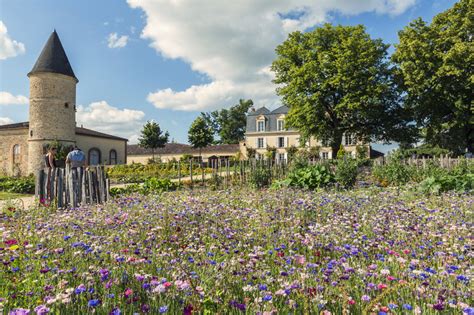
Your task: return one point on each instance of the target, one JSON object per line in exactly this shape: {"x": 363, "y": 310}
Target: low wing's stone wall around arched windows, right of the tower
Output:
{"x": 104, "y": 145}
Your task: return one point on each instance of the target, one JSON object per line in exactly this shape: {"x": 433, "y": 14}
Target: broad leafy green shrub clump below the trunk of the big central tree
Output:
{"x": 310, "y": 177}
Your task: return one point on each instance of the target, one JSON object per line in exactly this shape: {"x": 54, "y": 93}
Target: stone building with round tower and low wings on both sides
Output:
{"x": 52, "y": 119}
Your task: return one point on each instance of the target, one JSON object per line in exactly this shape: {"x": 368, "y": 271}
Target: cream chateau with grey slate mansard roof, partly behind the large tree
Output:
{"x": 267, "y": 128}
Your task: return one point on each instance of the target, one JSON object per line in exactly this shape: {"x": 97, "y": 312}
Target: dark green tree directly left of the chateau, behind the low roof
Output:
{"x": 229, "y": 124}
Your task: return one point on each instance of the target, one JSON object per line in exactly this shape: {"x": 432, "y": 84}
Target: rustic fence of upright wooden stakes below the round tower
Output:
{"x": 71, "y": 187}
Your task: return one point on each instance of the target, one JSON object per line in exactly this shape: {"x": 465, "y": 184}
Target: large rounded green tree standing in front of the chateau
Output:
{"x": 337, "y": 80}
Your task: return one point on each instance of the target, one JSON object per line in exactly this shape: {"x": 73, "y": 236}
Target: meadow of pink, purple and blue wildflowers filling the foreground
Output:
{"x": 365, "y": 251}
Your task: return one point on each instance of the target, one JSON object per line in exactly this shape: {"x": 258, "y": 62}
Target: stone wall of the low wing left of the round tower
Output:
{"x": 8, "y": 139}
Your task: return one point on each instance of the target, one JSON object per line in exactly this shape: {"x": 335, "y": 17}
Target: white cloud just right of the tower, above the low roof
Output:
{"x": 101, "y": 116}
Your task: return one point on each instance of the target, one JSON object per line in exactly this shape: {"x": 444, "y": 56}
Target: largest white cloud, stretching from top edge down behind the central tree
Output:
{"x": 233, "y": 43}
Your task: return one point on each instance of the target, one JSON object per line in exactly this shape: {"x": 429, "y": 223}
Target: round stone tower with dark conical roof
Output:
{"x": 52, "y": 102}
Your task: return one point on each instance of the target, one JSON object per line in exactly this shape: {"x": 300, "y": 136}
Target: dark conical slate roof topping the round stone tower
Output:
{"x": 53, "y": 58}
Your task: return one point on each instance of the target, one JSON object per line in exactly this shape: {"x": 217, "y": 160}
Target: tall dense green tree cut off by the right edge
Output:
{"x": 435, "y": 67}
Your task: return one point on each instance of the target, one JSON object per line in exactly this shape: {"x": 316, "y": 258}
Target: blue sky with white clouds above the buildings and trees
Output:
{"x": 168, "y": 60}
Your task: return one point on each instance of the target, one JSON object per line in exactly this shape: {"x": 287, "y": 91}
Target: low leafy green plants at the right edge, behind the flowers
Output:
{"x": 438, "y": 184}
